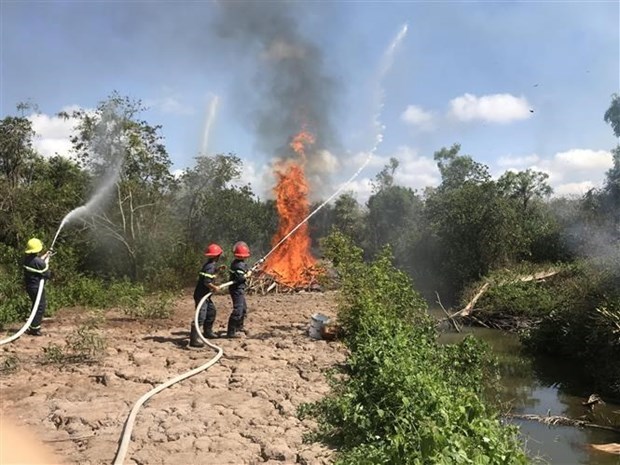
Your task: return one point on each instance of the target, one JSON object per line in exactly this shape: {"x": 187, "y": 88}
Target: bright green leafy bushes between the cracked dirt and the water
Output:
{"x": 401, "y": 397}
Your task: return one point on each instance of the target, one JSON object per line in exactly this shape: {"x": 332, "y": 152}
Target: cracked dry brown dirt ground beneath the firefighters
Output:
{"x": 243, "y": 410}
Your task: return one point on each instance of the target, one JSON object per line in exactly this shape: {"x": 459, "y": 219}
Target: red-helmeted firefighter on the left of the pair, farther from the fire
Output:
{"x": 205, "y": 285}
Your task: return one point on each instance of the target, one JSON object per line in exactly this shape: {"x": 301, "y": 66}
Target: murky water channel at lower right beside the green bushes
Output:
{"x": 549, "y": 387}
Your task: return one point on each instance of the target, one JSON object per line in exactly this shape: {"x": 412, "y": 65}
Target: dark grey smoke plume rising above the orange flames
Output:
{"x": 290, "y": 89}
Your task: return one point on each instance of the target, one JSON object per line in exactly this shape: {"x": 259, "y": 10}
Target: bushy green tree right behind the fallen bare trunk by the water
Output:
{"x": 475, "y": 226}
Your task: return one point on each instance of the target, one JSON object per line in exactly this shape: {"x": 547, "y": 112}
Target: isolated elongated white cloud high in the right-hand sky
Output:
{"x": 495, "y": 108}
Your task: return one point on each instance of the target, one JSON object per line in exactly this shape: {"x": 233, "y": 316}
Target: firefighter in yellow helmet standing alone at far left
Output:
{"x": 36, "y": 268}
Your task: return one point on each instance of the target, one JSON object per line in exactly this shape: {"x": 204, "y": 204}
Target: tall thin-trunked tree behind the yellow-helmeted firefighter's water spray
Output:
{"x": 112, "y": 141}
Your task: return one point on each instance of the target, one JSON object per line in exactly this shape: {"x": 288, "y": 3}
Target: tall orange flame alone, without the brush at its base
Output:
{"x": 292, "y": 263}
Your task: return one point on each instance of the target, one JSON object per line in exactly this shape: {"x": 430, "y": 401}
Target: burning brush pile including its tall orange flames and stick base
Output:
{"x": 291, "y": 267}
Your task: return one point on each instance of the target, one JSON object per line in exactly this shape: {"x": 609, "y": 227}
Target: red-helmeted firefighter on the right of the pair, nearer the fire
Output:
{"x": 239, "y": 272}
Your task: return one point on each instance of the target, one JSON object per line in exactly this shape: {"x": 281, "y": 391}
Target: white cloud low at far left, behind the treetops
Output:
{"x": 53, "y": 133}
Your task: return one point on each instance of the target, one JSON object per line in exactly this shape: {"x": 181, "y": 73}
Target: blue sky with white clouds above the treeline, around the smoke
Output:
{"x": 517, "y": 84}
